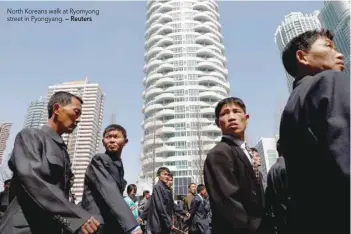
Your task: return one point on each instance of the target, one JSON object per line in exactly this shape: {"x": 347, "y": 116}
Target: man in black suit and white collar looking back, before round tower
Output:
{"x": 234, "y": 190}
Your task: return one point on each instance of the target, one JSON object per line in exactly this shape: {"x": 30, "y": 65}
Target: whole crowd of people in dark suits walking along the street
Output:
{"x": 308, "y": 188}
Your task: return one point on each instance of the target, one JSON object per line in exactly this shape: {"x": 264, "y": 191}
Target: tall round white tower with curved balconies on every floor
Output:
{"x": 185, "y": 77}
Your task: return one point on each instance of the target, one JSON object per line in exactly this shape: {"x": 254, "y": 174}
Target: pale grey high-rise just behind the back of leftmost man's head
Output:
{"x": 35, "y": 112}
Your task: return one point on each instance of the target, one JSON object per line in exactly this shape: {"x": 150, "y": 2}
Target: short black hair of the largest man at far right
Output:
{"x": 303, "y": 42}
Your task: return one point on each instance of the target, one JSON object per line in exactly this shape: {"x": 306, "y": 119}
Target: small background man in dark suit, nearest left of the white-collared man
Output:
{"x": 199, "y": 221}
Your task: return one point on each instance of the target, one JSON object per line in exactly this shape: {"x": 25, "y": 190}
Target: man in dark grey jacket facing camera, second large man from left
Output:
{"x": 104, "y": 185}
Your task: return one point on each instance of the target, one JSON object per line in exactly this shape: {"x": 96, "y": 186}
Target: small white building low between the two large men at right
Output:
{"x": 267, "y": 149}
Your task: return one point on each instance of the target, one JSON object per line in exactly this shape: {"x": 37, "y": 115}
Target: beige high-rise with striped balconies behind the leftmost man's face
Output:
{"x": 85, "y": 141}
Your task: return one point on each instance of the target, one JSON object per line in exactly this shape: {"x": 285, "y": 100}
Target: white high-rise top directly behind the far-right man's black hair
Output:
{"x": 293, "y": 25}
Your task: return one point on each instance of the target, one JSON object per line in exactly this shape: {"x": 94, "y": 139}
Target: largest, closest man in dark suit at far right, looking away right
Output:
{"x": 315, "y": 135}
